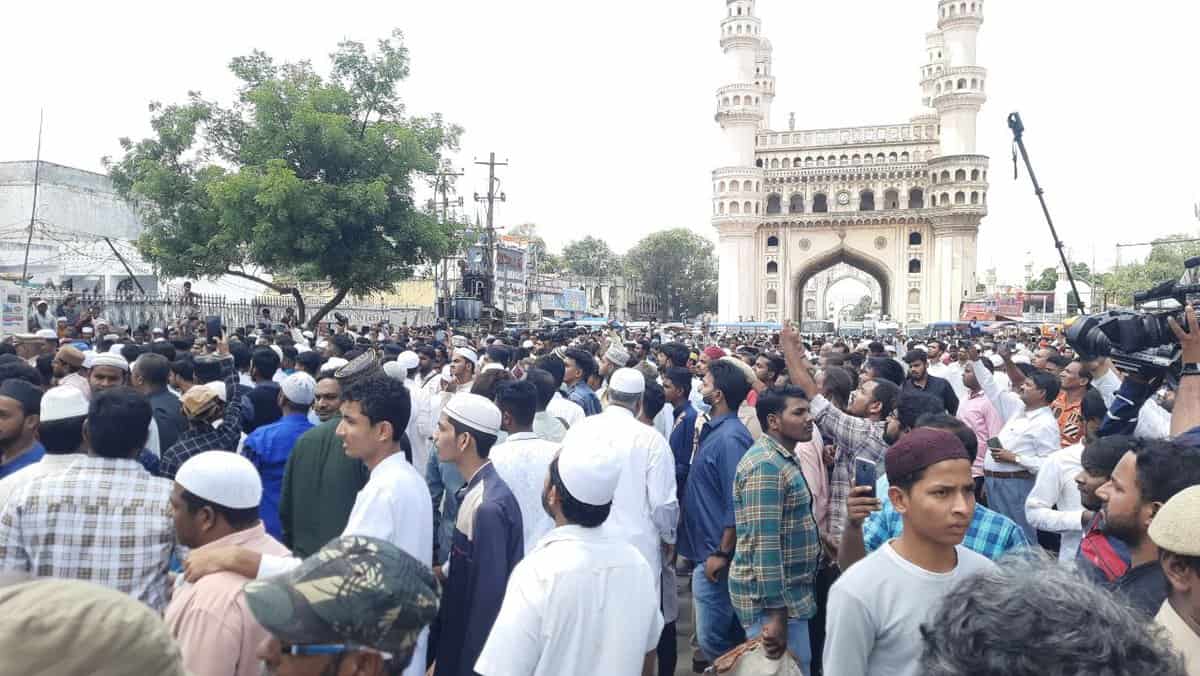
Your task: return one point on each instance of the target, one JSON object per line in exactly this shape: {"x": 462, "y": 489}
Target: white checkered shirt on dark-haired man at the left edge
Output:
{"x": 103, "y": 521}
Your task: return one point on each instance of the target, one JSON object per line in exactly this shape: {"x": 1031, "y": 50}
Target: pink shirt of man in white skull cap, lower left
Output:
{"x": 211, "y": 620}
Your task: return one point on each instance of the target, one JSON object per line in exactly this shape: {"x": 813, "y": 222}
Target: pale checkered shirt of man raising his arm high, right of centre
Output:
{"x": 853, "y": 438}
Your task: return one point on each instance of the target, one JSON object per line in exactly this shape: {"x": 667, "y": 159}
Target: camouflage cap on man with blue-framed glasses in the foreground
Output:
{"x": 356, "y": 590}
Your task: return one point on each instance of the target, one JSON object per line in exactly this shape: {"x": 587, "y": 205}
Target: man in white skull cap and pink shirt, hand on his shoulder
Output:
{"x": 215, "y": 504}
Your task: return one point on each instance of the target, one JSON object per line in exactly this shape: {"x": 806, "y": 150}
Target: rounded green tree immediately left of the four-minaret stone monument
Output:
{"x": 680, "y": 270}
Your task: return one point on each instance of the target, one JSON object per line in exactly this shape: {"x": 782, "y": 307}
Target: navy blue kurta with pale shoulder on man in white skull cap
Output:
{"x": 488, "y": 546}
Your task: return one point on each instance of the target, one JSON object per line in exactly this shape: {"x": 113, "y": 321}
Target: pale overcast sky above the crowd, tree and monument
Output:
{"x": 605, "y": 110}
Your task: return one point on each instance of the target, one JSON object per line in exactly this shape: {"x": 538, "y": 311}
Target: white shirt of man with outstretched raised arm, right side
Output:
{"x": 1033, "y": 436}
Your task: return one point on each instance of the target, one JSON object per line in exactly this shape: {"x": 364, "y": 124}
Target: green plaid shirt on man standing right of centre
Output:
{"x": 779, "y": 548}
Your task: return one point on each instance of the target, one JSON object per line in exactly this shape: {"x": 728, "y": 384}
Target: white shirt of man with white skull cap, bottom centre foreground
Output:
{"x": 583, "y": 602}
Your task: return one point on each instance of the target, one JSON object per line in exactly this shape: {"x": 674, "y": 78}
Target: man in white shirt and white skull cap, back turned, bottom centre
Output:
{"x": 557, "y": 614}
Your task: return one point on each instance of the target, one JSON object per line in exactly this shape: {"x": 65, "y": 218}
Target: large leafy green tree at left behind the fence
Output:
{"x": 304, "y": 177}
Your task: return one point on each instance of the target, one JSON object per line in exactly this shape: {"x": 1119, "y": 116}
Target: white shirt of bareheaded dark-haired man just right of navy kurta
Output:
{"x": 524, "y": 463}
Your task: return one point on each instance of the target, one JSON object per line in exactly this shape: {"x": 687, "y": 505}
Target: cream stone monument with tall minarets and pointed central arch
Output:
{"x": 901, "y": 204}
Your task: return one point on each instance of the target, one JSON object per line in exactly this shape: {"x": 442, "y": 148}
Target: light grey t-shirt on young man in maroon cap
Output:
{"x": 877, "y": 608}
